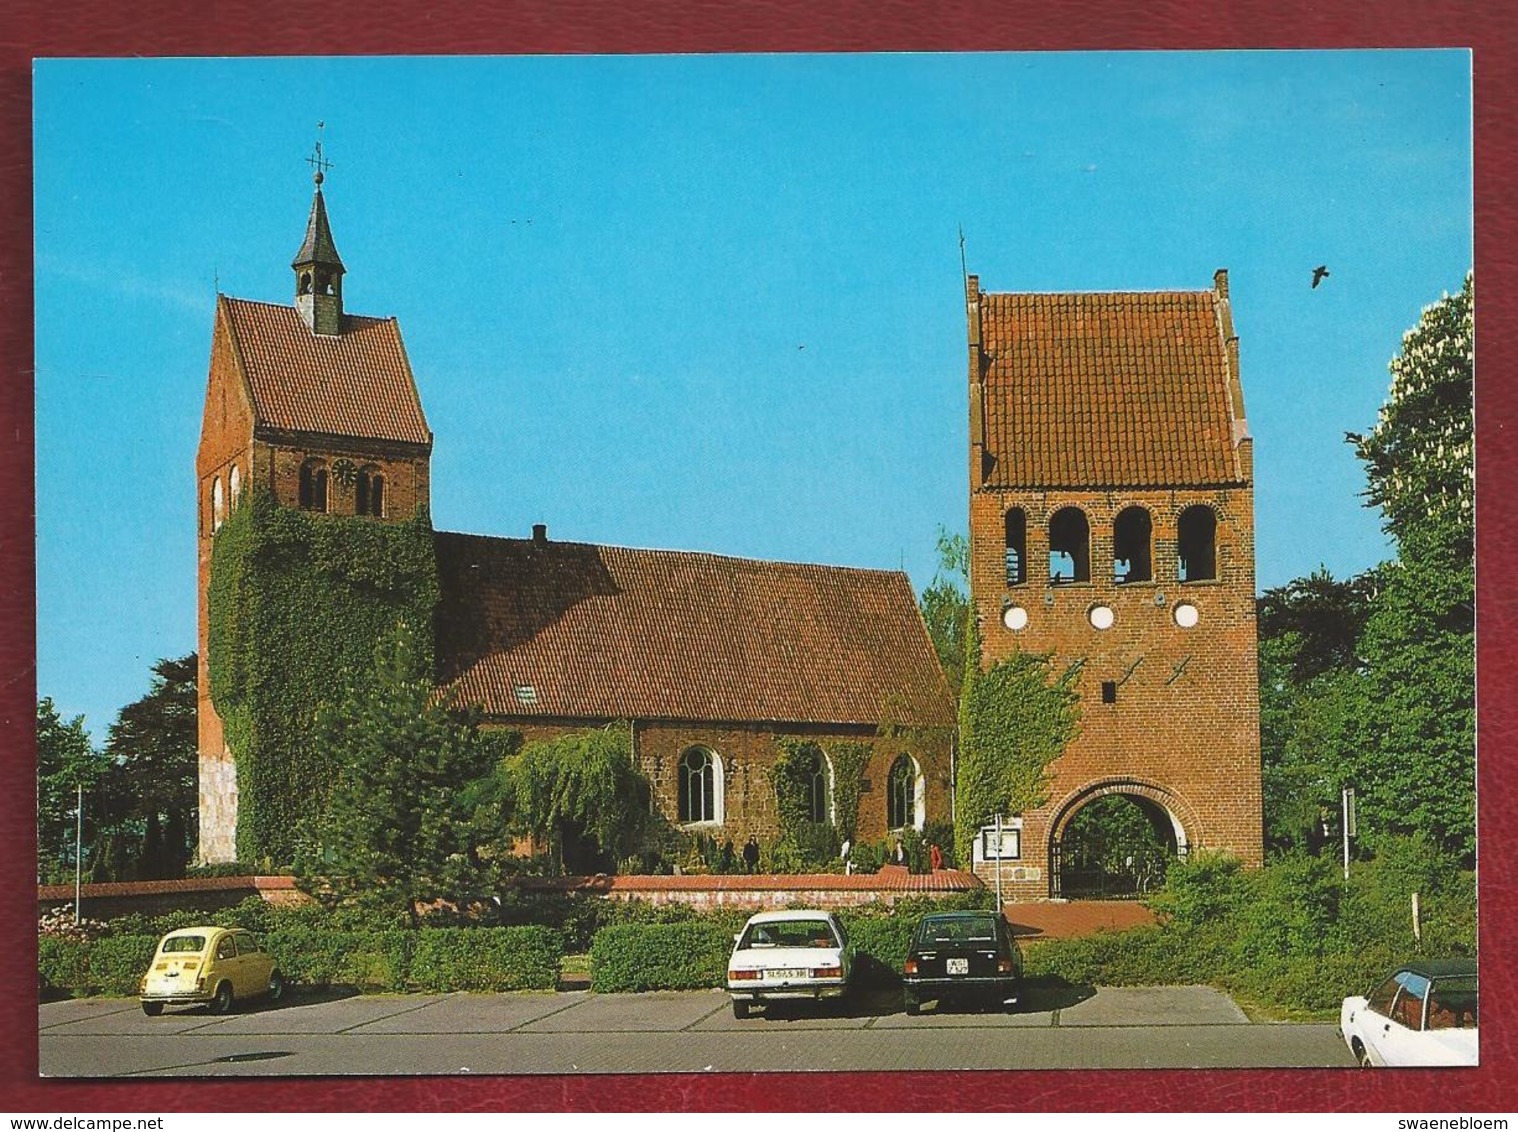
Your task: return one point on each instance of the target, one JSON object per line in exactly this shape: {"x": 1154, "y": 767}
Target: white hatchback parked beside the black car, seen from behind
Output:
{"x": 789, "y": 955}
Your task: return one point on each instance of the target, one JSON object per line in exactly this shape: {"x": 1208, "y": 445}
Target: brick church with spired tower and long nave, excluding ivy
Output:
{"x": 708, "y": 659}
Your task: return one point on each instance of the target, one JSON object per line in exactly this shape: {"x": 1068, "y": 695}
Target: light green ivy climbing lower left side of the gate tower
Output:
{"x": 1015, "y": 722}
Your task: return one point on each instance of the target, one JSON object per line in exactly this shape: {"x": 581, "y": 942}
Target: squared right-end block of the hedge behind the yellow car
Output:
{"x": 487, "y": 960}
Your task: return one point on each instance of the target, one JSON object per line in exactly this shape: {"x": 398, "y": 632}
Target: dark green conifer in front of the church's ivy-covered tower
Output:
{"x": 417, "y": 811}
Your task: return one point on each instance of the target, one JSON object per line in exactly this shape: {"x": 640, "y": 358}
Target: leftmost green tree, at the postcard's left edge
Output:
{"x": 65, "y": 761}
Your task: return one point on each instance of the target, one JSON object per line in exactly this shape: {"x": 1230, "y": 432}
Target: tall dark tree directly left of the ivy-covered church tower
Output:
{"x": 150, "y": 794}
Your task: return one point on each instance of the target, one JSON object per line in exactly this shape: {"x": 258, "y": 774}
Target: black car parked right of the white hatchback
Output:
{"x": 968, "y": 957}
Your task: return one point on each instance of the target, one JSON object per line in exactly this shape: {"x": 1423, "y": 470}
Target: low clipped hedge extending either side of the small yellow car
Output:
{"x": 433, "y": 960}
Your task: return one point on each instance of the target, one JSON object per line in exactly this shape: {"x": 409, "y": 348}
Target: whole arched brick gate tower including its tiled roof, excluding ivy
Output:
{"x": 1112, "y": 524}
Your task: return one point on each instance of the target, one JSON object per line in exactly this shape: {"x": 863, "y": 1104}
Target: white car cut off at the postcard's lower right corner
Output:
{"x": 1423, "y": 1014}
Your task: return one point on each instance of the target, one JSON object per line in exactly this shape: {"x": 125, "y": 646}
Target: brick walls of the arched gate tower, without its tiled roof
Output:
{"x": 1177, "y": 723}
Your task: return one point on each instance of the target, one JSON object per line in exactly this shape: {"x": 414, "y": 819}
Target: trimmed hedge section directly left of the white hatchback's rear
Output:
{"x": 681, "y": 957}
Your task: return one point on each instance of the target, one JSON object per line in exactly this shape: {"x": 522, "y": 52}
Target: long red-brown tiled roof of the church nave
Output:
{"x": 572, "y": 630}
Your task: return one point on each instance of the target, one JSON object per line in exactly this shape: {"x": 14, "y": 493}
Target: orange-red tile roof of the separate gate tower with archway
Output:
{"x": 1127, "y": 389}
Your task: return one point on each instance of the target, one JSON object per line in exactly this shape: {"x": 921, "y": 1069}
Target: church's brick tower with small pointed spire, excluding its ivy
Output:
{"x": 320, "y": 412}
